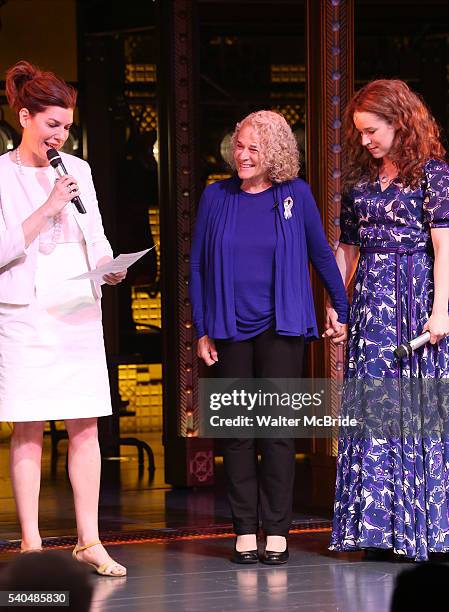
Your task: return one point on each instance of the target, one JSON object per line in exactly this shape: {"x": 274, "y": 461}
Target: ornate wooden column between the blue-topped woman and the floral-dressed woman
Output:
{"x": 330, "y": 82}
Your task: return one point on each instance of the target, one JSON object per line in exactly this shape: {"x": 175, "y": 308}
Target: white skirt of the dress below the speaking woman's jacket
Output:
{"x": 52, "y": 357}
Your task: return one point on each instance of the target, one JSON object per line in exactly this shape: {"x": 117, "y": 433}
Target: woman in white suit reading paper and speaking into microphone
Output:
{"x": 52, "y": 358}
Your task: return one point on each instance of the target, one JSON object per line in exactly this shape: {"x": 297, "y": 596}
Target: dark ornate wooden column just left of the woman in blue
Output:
{"x": 188, "y": 460}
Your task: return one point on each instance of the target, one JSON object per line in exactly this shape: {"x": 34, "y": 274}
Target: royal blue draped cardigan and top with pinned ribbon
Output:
{"x": 216, "y": 290}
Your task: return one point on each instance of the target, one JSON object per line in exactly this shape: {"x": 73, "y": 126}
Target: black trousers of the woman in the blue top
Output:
{"x": 260, "y": 491}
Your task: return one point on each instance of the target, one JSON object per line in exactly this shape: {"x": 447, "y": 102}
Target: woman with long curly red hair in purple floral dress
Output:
{"x": 392, "y": 491}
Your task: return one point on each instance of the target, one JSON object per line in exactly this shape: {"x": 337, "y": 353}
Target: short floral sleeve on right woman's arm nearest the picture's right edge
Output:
{"x": 436, "y": 194}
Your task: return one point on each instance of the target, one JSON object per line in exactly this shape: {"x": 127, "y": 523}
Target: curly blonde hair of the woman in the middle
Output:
{"x": 278, "y": 146}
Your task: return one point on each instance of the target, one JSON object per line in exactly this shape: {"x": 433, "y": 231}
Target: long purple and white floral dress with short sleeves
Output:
{"x": 393, "y": 491}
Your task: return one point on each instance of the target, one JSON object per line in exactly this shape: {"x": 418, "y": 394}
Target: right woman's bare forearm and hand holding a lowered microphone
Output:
{"x": 438, "y": 323}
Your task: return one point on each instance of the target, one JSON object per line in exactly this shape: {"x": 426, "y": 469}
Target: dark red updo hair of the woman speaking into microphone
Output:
{"x": 29, "y": 87}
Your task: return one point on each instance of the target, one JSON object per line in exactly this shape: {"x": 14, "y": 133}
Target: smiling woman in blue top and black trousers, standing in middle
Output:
{"x": 253, "y": 307}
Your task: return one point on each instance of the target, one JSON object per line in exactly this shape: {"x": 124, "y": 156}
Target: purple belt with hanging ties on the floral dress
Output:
{"x": 398, "y": 252}
